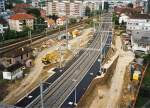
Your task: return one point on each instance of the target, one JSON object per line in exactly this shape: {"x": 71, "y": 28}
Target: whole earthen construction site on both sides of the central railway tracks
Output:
{"x": 117, "y": 86}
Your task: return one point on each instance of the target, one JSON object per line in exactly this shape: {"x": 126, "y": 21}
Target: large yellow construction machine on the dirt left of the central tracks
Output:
{"x": 51, "y": 58}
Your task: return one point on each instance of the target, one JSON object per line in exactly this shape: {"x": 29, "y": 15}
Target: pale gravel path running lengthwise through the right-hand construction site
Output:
{"x": 118, "y": 78}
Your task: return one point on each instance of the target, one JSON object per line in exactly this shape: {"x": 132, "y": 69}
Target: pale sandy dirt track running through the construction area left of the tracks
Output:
{"x": 36, "y": 73}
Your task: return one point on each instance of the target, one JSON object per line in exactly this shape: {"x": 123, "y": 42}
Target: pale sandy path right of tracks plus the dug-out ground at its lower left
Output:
{"x": 108, "y": 97}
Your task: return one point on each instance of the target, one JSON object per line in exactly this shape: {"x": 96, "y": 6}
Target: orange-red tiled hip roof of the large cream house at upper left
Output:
{"x": 22, "y": 16}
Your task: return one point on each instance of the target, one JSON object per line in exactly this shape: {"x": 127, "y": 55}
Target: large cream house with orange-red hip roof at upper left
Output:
{"x": 19, "y": 20}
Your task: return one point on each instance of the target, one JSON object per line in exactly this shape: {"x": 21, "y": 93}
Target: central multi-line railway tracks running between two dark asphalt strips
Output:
{"x": 60, "y": 89}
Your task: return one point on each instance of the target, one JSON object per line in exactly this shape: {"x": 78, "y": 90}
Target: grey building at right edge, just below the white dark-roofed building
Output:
{"x": 140, "y": 41}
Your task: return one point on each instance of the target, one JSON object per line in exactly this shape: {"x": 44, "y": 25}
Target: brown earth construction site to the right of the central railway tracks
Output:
{"x": 117, "y": 87}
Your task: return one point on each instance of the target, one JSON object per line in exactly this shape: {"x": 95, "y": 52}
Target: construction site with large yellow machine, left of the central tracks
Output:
{"x": 49, "y": 54}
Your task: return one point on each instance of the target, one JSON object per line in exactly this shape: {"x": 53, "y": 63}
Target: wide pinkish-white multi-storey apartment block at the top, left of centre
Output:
{"x": 66, "y": 8}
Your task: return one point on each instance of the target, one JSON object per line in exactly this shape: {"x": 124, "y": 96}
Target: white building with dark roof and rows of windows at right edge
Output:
{"x": 138, "y": 22}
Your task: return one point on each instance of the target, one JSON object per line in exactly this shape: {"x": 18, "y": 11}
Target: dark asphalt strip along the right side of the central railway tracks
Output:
{"x": 83, "y": 85}
